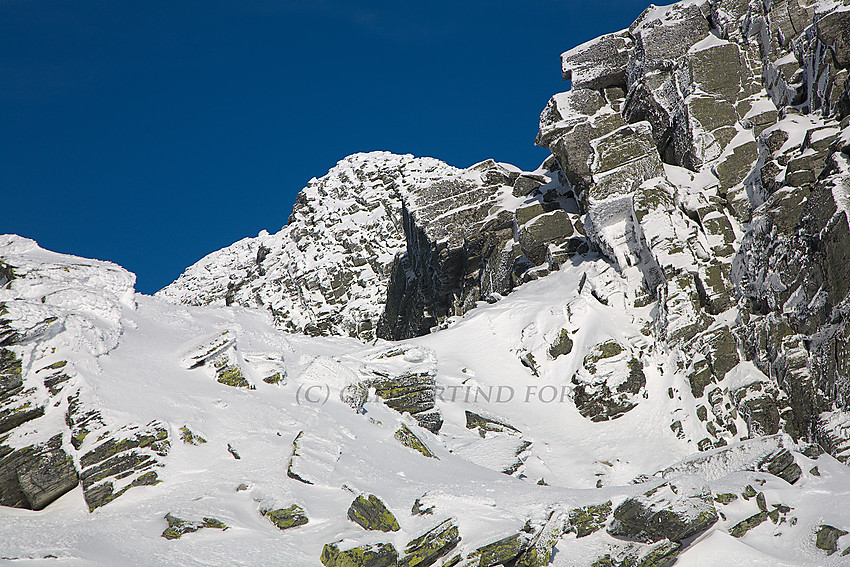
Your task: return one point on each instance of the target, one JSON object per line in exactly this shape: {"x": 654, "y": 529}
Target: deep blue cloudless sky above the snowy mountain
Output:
{"x": 152, "y": 133}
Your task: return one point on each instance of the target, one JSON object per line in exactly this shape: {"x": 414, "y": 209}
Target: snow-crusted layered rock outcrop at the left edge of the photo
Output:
{"x": 57, "y": 316}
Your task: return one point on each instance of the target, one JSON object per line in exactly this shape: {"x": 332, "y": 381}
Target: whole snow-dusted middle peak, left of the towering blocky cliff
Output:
{"x": 327, "y": 271}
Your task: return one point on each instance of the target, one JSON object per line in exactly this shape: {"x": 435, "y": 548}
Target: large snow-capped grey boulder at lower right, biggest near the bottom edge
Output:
{"x": 674, "y": 510}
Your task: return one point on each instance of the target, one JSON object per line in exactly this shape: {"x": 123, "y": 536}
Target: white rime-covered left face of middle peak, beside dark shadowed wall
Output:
{"x": 326, "y": 271}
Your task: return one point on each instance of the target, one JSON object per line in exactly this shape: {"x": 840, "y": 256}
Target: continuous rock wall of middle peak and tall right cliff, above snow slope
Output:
{"x": 703, "y": 151}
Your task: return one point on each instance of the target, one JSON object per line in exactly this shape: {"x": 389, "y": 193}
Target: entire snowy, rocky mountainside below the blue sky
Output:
{"x": 635, "y": 355}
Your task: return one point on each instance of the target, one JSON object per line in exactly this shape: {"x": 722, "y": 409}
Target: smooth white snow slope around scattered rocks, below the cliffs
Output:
{"x": 136, "y": 371}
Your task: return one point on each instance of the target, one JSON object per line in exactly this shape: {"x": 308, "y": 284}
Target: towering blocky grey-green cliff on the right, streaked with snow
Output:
{"x": 707, "y": 148}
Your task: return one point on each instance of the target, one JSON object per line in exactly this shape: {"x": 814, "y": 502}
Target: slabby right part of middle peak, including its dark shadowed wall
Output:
{"x": 464, "y": 245}
